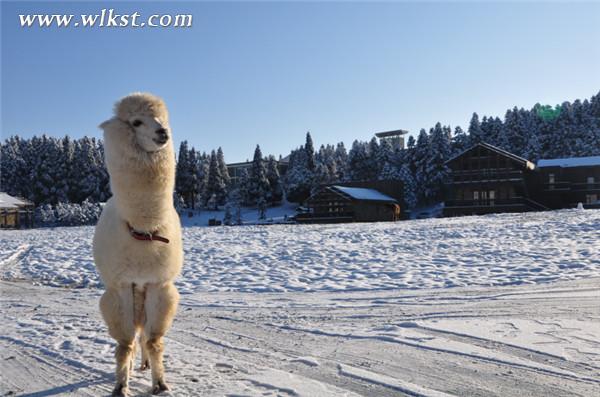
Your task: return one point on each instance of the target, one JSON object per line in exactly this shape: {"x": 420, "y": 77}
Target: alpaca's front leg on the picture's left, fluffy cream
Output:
{"x": 116, "y": 306}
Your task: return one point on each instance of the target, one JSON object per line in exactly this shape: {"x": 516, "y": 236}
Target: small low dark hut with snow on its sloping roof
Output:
{"x": 335, "y": 203}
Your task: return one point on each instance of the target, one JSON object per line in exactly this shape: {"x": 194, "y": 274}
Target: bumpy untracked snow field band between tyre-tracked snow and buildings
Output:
{"x": 500, "y": 249}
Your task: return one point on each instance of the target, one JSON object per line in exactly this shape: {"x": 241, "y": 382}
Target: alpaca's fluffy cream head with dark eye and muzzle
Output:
{"x": 147, "y": 118}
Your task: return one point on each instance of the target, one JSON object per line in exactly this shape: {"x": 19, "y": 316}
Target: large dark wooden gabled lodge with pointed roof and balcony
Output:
{"x": 486, "y": 179}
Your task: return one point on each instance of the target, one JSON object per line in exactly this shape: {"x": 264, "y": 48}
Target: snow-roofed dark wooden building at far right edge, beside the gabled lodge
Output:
{"x": 564, "y": 183}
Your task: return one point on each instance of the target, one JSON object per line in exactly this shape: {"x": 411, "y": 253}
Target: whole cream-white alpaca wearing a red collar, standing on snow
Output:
{"x": 137, "y": 242}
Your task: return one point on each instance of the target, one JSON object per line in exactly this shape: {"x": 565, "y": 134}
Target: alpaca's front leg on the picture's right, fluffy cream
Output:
{"x": 161, "y": 305}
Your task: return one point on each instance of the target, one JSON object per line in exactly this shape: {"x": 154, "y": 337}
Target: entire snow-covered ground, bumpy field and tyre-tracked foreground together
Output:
{"x": 343, "y": 310}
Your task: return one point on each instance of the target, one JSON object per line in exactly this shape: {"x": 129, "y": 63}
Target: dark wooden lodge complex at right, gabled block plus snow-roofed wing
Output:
{"x": 486, "y": 179}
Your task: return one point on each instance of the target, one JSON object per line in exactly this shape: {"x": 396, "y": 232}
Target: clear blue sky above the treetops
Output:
{"x": 266, "y": 73}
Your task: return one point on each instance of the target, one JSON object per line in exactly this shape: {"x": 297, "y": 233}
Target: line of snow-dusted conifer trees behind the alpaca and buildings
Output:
{"x": 50, "y": 170}
